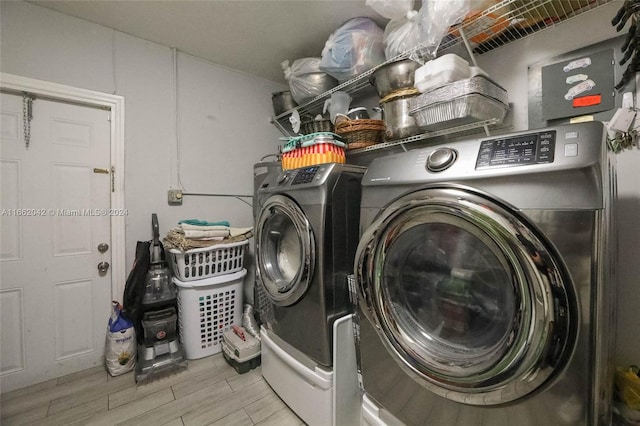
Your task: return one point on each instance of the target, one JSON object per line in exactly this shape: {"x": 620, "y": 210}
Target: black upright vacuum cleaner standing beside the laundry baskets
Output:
{"x": 159, "y": 349}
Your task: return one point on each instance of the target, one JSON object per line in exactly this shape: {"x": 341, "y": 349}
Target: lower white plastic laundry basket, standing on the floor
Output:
{"x": 207, "y": 308}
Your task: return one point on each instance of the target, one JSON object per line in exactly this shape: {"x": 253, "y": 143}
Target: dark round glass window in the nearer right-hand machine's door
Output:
{"x": 450, "y": 284}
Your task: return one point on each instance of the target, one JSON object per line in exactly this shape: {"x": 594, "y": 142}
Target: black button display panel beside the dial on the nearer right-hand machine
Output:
{"x": 534, "y": 148}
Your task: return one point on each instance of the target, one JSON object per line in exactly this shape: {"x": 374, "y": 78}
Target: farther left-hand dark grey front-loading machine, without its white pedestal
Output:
{"x": 306, "y": 237}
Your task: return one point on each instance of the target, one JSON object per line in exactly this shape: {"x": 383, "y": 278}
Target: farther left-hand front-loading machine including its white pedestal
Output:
{"x": 306, "y": 236}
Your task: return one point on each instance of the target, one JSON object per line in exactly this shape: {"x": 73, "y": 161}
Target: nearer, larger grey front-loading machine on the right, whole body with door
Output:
{"x": 485, "y": 282}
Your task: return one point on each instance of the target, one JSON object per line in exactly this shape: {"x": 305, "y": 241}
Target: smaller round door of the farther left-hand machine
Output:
{"x": 285, "y": 250}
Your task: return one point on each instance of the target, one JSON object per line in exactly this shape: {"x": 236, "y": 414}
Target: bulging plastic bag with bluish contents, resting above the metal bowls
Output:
{"x": 352, "y": 49}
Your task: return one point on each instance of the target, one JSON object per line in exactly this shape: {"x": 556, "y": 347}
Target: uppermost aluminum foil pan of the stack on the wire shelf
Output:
{"x": 479, "y": 84}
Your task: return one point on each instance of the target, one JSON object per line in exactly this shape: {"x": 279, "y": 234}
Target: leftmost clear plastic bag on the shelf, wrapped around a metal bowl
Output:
{"x": 306, "y": 79}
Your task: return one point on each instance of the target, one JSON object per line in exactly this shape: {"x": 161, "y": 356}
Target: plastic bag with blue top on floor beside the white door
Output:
{"x": 120, "y": 345}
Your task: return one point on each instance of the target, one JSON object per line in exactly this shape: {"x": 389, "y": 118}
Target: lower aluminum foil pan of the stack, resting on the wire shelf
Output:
{"x": 460, "y": 111}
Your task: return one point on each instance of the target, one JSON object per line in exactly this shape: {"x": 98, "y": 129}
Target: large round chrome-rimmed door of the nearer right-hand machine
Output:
{"x": 466, "y": 295}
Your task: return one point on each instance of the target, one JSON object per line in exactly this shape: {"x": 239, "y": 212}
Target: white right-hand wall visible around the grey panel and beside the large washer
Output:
{"x": 508, "y": 66}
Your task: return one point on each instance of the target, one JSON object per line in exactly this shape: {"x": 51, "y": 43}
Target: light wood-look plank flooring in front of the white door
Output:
{"x": 209, "y": 392}
